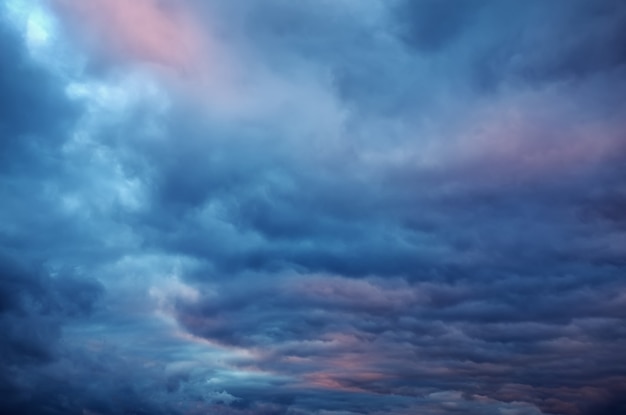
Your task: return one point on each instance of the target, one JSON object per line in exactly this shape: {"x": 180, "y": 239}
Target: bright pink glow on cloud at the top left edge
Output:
{"x": 163, "y": 32}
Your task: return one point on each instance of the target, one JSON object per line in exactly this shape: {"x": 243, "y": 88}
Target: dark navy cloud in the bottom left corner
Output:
{"x": 34, "y": 307}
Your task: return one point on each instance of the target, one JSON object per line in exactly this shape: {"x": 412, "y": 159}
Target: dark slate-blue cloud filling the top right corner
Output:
{"x": 531, "y": 43}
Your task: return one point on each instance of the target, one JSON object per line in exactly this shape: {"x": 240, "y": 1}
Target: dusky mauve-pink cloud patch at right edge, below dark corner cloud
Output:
{"x": 536, "y": 135}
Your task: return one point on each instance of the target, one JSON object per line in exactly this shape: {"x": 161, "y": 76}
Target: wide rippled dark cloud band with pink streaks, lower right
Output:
{"x": 362, "y": 335}
